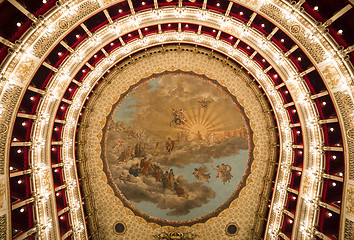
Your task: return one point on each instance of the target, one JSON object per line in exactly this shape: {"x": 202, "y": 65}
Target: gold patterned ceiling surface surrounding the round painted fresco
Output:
{"x": 119, "y": 80}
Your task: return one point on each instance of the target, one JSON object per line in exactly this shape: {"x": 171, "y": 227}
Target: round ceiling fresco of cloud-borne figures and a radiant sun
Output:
{"x": 177, "y": 147}
